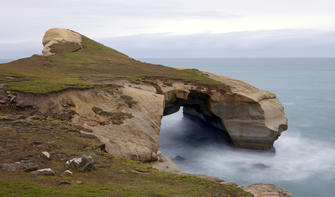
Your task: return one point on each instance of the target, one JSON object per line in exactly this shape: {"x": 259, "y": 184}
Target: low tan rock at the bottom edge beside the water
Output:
{"x": 266, "y": 190}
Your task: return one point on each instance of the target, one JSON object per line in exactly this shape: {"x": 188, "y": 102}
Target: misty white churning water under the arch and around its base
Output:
{"x": 296, "y": 157}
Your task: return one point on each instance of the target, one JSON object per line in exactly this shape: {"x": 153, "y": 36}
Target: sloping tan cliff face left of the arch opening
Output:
{"x": 127, "y": 120}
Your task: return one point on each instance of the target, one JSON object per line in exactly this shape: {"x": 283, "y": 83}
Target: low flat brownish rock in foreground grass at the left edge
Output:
{"x": 22, "y": 165}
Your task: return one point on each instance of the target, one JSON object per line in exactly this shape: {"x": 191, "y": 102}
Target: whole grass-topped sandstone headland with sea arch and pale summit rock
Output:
{"x": 120, "y": 101}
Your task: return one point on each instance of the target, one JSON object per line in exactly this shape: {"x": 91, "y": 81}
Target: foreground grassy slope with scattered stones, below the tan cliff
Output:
{"x": 24, "y": 137}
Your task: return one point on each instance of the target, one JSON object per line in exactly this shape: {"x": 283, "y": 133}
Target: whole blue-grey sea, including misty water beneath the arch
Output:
{"x": 304, "y": 160}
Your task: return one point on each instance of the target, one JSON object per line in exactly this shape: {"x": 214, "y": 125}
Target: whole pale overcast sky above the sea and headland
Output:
{"x": 175, "y": 28}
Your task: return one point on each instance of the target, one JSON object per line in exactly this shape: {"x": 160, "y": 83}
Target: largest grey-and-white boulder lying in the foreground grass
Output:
{"x": 83, "y": 164}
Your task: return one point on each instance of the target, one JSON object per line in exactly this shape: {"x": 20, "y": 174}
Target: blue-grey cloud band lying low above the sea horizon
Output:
{"x": 280, "y": 43}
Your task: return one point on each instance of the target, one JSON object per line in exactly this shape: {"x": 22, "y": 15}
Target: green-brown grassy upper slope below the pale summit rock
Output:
{"x": 73, "y": 66}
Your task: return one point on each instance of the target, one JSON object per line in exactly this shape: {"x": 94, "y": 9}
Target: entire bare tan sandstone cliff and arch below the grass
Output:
{"x": 126, "y": 117}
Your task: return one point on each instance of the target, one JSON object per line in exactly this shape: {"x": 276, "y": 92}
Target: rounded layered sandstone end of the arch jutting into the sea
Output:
{"x": 253, "y": 118}
